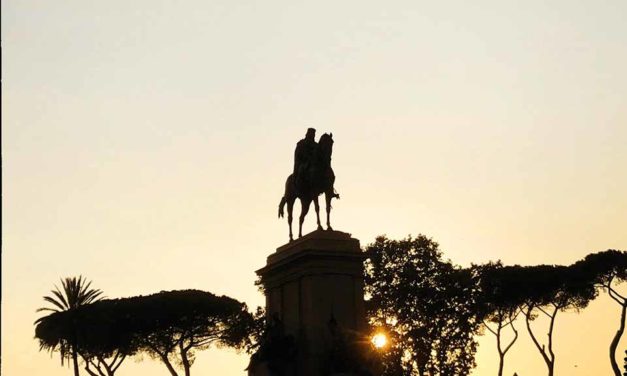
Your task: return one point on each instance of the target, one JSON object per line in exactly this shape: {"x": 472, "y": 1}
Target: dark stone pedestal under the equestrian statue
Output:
{"x": 311, "y": 282}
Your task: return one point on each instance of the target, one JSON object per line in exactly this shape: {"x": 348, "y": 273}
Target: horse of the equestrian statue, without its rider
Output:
{"x": 318, "y": 179}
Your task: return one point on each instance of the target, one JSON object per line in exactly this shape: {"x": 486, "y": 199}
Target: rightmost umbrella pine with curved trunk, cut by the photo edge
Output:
{"x": 605, "y": 270}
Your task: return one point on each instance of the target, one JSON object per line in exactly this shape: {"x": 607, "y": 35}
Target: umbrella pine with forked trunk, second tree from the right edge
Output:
{"x": 548, "y": 290}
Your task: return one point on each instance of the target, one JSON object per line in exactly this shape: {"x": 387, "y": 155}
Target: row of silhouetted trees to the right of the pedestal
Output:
{"x": 434, "y": 310}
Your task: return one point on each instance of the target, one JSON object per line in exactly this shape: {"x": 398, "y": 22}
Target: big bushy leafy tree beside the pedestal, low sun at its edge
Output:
{"x": 428, "y": 303}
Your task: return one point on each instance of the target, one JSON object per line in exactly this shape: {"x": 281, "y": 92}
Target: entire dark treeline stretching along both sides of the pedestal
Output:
{"x": 431, "y": 309}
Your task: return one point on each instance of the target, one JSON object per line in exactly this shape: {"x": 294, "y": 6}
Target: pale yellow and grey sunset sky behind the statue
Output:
{"x": 145, "y": 146}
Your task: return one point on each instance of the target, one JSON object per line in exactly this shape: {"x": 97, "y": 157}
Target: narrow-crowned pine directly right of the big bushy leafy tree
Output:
{"x": 500, "y": 302}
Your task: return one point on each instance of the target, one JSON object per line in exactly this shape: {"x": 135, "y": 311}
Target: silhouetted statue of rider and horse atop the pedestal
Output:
{"x": 311, "y": 177}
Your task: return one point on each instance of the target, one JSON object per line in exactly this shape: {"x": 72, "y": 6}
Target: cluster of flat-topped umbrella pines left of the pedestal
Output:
{"x": 168, "y": 326}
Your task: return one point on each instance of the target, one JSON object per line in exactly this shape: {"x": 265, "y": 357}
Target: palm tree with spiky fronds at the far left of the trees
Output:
{"x": 75, "y": 293}
